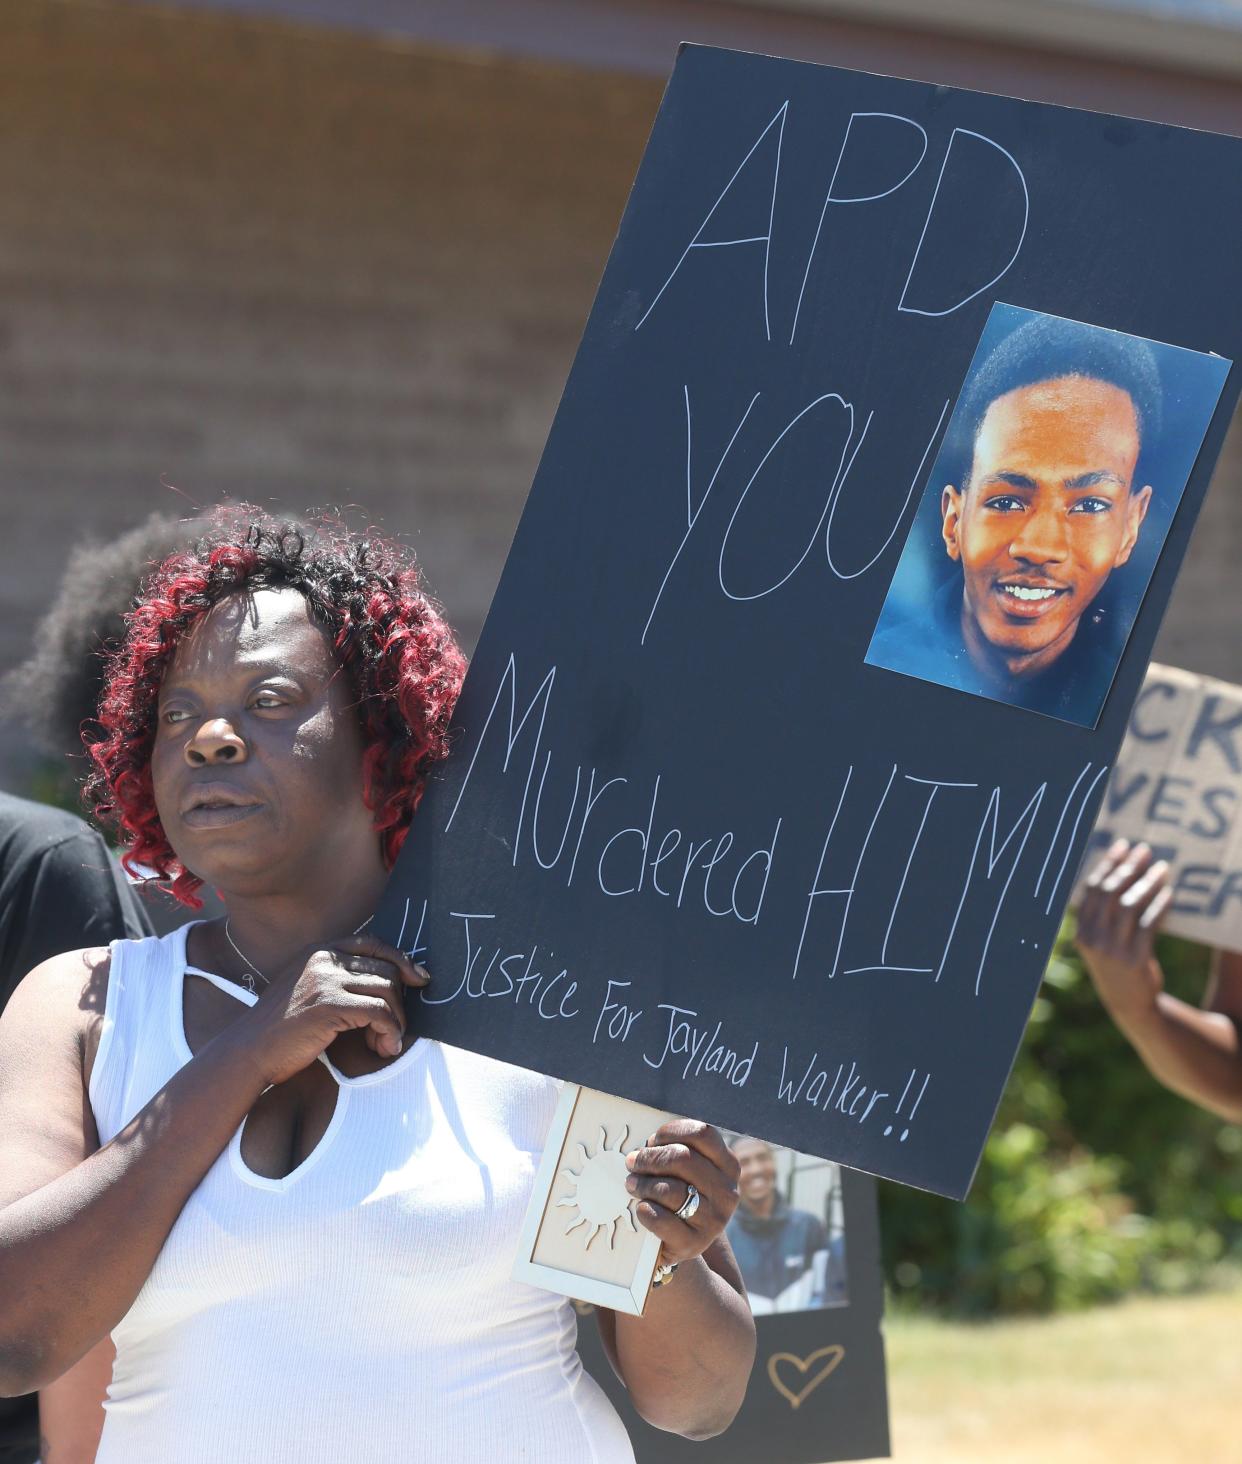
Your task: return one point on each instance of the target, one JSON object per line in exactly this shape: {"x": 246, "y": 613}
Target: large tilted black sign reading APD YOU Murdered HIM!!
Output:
{"x": 692, "y": 848}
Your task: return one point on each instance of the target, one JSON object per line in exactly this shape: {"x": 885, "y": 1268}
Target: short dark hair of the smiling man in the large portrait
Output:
{"x": 1051, "y": 349}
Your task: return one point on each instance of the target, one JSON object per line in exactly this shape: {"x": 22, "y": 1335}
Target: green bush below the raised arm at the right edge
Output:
{"x": 1095, "y": 1182}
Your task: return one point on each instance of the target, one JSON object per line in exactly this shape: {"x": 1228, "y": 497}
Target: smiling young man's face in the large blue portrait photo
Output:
{"x": 1049, "y": 513}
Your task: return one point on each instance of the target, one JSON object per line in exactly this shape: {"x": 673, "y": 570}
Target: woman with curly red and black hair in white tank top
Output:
{"x": 223, "y": 1147}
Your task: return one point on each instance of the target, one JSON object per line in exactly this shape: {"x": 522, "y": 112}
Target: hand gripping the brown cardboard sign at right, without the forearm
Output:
{"x": 1126, "y": 900}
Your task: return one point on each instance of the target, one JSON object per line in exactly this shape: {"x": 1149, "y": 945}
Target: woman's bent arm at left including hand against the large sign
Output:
{"x": 81, "y": 1226}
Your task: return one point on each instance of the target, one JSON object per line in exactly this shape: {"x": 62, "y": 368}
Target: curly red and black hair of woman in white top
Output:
{"x": 395, "y": 645}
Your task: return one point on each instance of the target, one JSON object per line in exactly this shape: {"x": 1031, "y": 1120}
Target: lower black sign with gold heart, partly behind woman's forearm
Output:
{"x": 818, "y": 1392}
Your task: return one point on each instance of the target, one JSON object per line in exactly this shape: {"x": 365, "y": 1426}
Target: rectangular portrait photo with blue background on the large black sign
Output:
{"x": 1045, "y": 513}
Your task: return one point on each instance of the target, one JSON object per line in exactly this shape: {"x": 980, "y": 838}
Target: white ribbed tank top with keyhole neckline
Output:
{"x": 358, "y": 1311}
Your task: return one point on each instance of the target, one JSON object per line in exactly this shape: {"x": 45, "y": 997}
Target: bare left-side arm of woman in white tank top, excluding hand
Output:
{"x": 81, "y": 1226}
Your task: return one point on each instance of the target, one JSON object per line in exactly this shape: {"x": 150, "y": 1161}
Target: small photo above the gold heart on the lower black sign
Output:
{"x": 789, "y": 1232}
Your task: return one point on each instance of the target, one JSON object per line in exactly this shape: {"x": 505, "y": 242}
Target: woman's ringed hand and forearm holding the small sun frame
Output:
{"x": 686, "y": 1362}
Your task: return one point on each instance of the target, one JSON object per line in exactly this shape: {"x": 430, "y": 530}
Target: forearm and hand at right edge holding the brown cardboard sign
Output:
{"x": 1191, "y": 1050}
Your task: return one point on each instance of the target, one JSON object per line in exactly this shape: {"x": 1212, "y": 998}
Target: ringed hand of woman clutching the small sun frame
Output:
{"x": 680, "y": 1154}
